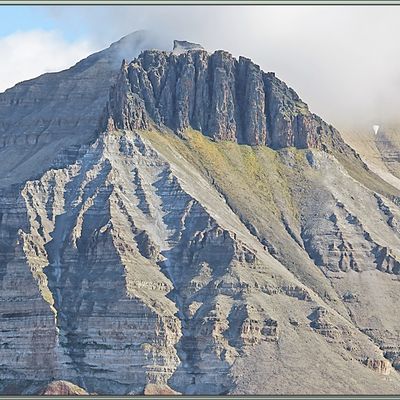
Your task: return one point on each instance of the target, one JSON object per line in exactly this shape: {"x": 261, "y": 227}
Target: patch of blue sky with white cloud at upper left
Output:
{"x": 38, "y": 39}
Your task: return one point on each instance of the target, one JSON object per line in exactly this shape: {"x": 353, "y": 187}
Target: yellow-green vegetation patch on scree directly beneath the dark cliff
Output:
{"x": 252, "y": 178}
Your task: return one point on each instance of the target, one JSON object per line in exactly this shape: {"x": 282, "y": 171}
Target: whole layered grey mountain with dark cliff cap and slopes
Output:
{"x": 182, "y": 223}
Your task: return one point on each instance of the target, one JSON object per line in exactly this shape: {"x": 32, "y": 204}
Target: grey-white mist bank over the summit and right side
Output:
{"x": 343, "y": 61}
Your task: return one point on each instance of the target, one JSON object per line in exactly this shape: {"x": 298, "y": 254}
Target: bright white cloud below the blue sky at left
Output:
{"x": 26, "y": 55}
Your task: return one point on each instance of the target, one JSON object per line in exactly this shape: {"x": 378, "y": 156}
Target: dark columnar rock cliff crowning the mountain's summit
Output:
{"x": 225, "y": 98}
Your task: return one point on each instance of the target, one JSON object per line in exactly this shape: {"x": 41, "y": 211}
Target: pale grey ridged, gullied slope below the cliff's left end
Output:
{"x": 148, "y": 280}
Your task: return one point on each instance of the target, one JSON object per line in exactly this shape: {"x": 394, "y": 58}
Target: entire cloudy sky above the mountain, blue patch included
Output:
{"x": 343, "y": 61}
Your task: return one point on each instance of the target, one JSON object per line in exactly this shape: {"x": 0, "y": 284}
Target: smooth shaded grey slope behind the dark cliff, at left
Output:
{"x": 57, "y": 110}
